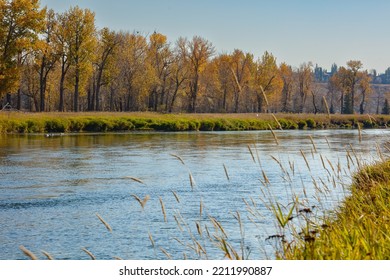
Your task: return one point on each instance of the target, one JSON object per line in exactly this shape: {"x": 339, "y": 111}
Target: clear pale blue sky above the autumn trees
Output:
{"x": 295, "y": 31}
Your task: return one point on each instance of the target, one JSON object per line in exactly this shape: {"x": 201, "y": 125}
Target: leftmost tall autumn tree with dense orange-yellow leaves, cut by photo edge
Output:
{"x": 20, "y": 23}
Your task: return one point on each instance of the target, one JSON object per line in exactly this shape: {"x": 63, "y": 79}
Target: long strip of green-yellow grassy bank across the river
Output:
{"x": 14, "y": 122}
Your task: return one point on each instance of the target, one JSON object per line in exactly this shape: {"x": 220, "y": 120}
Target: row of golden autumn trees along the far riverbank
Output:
{"x": 61, "y": 62}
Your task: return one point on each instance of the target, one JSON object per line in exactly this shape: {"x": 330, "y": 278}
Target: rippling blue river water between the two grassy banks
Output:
{"x": 52, "y": 188}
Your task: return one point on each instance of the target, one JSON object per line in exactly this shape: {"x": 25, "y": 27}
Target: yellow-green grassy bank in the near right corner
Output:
{"x": 360, "y": 227}
